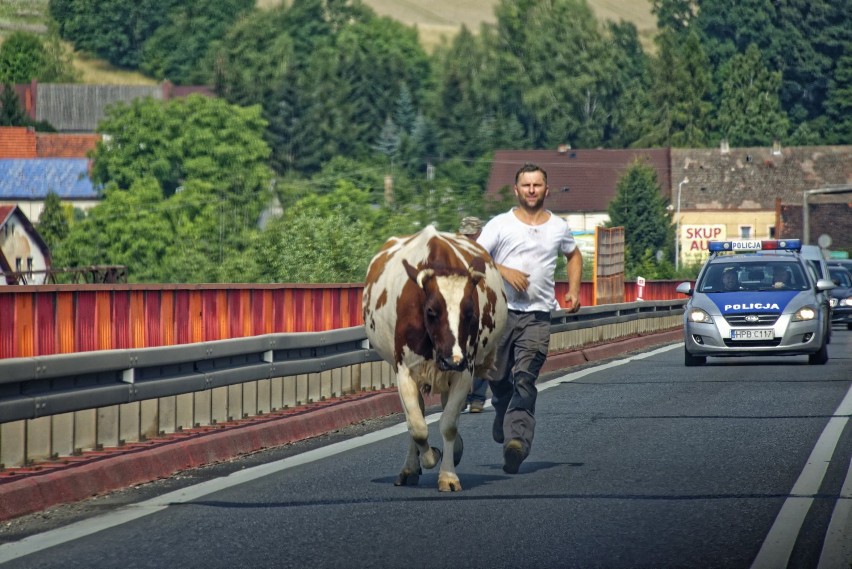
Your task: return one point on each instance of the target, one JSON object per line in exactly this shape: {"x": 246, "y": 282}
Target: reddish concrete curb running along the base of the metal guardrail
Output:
{"x": 104, "y": 471}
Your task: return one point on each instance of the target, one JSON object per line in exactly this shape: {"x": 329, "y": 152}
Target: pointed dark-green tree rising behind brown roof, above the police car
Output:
{"x": 751, "y": 112}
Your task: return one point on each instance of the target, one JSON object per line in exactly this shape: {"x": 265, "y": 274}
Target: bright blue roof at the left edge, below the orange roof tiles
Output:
{"x": 34, "y": 178}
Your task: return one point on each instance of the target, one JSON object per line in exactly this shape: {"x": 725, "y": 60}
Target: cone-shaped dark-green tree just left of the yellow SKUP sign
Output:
{"x": 640, "y": 208}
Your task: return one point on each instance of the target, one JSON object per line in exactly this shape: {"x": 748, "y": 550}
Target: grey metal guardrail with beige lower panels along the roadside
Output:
{"x": 65, "y": 404}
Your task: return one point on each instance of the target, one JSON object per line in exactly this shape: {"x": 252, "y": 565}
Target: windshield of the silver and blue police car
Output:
{"x": 769, "y": 275}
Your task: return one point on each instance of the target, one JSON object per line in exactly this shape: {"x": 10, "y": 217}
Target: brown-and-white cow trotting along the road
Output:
{"x": 434, "y": 309}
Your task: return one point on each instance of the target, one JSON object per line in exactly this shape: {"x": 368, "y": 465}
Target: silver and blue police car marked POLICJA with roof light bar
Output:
{"x": 756, "y": 298}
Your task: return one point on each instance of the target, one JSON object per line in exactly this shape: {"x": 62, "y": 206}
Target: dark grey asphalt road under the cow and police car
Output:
{"x": 637, "y": 463}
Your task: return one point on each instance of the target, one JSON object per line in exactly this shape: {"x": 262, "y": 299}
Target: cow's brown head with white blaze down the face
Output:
{"x": 450, "y": 313}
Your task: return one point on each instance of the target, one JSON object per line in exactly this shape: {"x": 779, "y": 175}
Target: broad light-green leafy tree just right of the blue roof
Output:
{"x": 193, "y": 138}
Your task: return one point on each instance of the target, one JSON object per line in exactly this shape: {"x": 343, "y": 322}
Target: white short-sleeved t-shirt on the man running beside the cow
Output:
{"x": 533, "y": 249}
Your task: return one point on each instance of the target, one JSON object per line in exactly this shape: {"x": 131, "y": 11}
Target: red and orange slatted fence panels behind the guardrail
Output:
{"x": 58, "y": 319}
